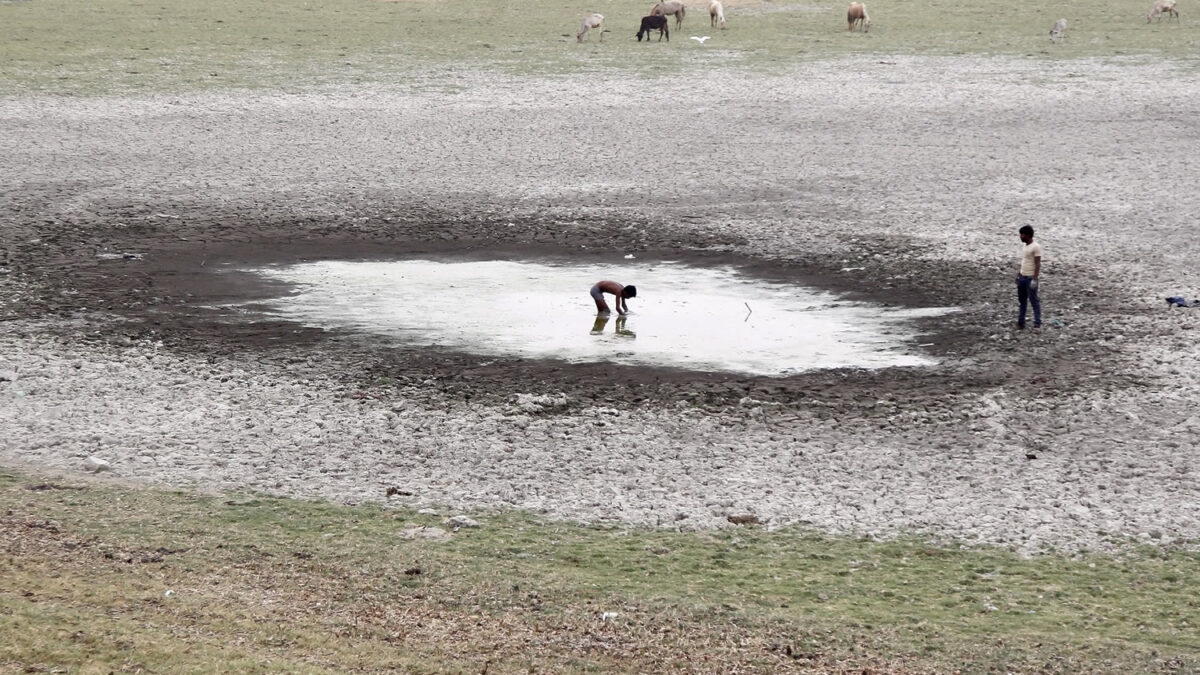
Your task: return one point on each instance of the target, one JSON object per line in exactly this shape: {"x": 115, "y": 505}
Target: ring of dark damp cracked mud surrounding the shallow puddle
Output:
{"x": 170, "y": 290}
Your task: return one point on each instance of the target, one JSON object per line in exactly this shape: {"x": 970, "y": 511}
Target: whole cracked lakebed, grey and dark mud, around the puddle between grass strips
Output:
{"x": 125, "y": 223}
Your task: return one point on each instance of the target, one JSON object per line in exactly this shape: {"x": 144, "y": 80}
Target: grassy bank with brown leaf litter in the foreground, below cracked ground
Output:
{"x": 101, "y": 578}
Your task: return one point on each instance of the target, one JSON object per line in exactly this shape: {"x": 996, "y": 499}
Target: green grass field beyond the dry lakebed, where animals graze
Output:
{"x": 127, "y": 46}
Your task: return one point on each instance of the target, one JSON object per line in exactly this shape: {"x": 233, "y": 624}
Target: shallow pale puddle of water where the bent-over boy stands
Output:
{"x": 700, "y": 319}
